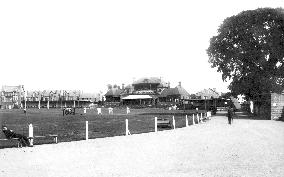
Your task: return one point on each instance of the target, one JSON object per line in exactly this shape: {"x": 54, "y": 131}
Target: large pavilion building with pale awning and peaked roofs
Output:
{"x": 146, "y": 91}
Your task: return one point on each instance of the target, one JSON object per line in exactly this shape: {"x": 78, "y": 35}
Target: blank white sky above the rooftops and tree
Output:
{"x": 86, "y": 45}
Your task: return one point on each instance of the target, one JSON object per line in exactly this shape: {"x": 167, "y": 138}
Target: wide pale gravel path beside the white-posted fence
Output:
{"x": 214, "y": 148}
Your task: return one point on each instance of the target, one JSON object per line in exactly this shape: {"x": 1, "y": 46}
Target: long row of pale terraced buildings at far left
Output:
{"x": 17, "y": 97}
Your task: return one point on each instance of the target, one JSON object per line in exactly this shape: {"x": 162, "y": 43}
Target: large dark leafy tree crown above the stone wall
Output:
{"x": 249, "y": 51}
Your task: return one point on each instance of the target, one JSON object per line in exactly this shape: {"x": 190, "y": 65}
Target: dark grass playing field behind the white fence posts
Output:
{"x": 72, "y": 127}
